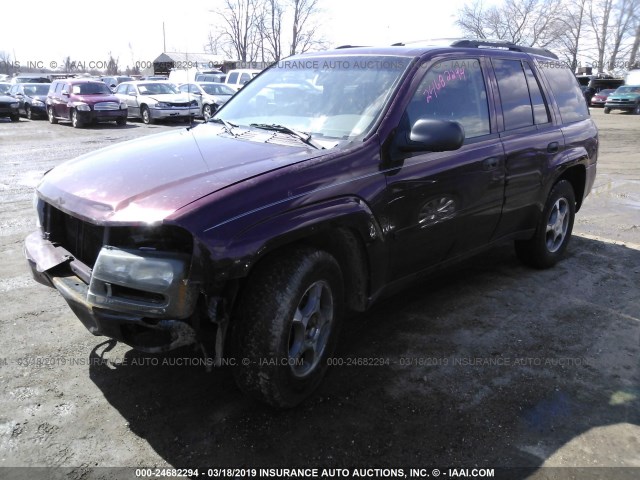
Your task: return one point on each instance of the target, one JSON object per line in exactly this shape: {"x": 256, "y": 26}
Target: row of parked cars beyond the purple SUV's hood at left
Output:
{"x": 117, "y": 98}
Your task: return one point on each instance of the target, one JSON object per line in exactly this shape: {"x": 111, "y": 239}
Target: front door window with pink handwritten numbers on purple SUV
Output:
{"x": 453, "y": 90}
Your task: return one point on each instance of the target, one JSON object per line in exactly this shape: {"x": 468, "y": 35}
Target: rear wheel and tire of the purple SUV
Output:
{"x": 553, "y": 232}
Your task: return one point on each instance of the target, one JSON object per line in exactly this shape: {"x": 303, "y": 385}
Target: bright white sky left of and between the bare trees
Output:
{"x": 47, "y": 31}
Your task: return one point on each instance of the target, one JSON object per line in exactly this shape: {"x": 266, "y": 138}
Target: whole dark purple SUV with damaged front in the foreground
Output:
{"x": 250, "y": 235}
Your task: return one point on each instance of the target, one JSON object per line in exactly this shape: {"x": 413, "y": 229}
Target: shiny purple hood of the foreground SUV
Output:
{"x": 147, "y": 179}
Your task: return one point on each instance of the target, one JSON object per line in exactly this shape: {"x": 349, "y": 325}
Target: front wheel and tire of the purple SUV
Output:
{"x": 290, "y": 312}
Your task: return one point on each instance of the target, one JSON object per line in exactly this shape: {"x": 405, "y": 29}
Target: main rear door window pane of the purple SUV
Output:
{"x": 514, "y": 94}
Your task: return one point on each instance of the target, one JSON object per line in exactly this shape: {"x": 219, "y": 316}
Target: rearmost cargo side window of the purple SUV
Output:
{"x": 566, "y": 91}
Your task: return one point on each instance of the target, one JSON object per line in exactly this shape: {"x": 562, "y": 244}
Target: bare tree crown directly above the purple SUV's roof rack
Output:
{"x": 529, "y": 22}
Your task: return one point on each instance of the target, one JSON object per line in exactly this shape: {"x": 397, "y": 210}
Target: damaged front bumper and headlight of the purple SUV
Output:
{"x": 141, "y": 298}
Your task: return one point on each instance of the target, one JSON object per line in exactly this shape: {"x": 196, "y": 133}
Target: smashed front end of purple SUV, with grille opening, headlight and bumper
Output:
{"x": 130, "y": 283}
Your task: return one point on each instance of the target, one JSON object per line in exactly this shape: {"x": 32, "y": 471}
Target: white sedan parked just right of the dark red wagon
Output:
{"x": 156, "y": 100}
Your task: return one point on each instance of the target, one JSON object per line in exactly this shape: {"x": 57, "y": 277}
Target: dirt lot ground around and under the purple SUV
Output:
{"x": 492, "y": 365}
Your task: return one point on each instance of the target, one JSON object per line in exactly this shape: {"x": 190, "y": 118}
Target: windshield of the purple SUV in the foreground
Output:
{"x": 335, "y": 97}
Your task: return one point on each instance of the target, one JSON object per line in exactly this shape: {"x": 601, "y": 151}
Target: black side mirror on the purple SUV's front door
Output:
{"x": 428, "y": 135}
